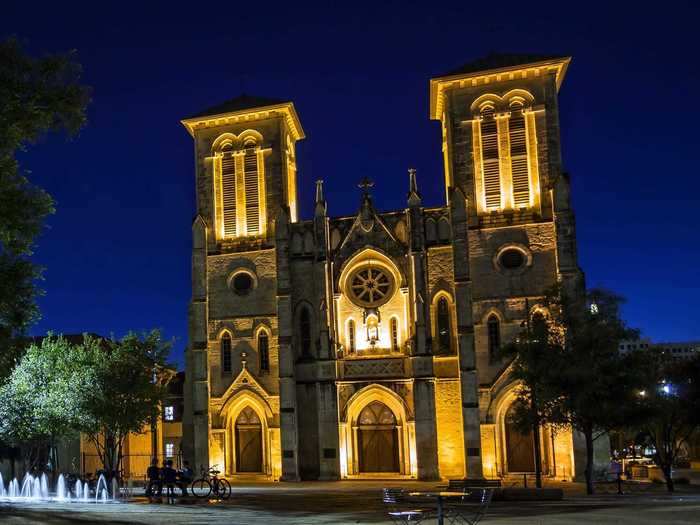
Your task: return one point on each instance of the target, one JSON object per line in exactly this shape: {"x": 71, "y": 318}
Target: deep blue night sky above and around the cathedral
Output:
{"x": 117, "y": 252}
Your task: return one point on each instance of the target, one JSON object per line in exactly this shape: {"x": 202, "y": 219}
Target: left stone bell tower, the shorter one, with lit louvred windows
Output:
{"x": 241, "y": 395}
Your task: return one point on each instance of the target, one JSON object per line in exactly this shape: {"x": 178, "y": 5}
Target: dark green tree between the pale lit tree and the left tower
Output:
{"x": 126, "y": 391}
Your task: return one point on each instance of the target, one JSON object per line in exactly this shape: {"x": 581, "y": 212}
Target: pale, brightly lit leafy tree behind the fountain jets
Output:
{"x": 41, "y": 400}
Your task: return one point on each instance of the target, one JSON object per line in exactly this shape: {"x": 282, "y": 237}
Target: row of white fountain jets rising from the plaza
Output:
{"x": 36, "y": 488}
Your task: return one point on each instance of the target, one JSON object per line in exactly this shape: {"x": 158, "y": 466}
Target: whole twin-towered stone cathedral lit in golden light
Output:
{"x": 367, "y": 346}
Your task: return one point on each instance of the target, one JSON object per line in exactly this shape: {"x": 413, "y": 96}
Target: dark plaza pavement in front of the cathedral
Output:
{"x": 352, "y": 502}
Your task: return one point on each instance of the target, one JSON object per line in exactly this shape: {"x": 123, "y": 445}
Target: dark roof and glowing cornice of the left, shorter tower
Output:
{"x": 242, "y": 108}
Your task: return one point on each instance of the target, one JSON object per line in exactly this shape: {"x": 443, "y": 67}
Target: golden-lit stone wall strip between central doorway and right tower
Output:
{"x": 448, "y": 402}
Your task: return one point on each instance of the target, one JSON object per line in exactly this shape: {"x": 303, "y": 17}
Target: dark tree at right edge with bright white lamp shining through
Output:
{"x": 670, "y": 408}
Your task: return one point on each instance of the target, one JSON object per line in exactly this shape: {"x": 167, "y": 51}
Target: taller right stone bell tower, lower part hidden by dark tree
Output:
{"x": 512, "y": 222}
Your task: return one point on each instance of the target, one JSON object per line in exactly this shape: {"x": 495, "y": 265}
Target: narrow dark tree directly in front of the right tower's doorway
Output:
{"x": 535, "y": 353}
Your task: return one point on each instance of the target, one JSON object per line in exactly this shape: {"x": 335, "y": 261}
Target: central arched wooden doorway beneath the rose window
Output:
{"x": 378, "y": 439}
